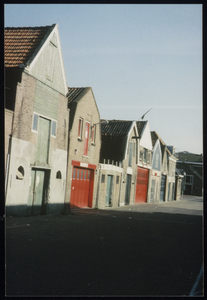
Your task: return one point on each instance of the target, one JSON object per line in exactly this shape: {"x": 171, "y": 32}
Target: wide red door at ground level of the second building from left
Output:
{"x": 82, "y": 182}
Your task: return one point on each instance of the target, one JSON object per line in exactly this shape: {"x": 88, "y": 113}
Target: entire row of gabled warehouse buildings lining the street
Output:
{"x": 59, "y": 154}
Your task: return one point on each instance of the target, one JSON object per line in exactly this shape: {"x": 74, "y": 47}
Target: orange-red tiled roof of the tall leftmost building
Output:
{"x": 21, "y": 42}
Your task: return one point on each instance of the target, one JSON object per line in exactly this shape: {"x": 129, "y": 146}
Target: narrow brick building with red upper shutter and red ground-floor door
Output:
{"x": 84, "y": 149}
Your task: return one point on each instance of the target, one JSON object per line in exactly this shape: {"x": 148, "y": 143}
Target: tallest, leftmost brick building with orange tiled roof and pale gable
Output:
{"x": 36, "y": 121}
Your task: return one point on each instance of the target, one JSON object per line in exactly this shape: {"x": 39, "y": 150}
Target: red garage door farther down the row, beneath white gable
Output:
{"x": 142, "y": 183}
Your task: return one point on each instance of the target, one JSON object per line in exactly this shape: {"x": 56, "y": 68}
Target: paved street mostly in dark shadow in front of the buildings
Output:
{"x": 142, "y": 250}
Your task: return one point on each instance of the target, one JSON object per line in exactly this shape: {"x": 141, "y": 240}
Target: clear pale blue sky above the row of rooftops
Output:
{"x": 135, "y": 57}
